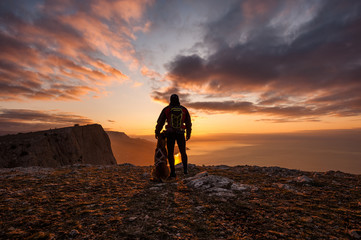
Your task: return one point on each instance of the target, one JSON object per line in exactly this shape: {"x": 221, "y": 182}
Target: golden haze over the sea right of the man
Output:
{"x": 338, "y": 150}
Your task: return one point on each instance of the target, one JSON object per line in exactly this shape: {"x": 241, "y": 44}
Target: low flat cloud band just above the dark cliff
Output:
{"x": 25, "y": 120}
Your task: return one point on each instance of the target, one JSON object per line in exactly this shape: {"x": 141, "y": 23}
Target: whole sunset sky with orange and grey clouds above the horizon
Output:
{"x": 246, "y": 66}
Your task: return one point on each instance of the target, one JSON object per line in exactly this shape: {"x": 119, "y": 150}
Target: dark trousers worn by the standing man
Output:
{"x": 181, "y": 142}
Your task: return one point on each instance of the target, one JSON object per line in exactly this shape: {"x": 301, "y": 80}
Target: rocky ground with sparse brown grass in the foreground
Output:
{"x": 219, "y": 202}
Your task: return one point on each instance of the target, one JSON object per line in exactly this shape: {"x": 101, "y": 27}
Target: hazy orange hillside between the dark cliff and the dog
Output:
{"x": 136, "y": 151}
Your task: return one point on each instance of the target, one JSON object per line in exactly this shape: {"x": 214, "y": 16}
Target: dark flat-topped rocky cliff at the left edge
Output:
{"x": 57, "y": 147}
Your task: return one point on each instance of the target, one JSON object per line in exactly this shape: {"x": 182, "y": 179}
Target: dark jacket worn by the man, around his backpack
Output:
{"x": 165, "y": 116}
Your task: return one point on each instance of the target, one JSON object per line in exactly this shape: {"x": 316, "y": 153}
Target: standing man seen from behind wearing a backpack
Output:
{"x": 178, "y": 120}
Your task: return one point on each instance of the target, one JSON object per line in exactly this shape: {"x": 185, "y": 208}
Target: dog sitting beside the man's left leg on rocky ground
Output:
{"x": 160, "y": 171}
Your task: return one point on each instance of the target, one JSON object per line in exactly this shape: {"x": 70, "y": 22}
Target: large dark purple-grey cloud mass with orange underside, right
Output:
{"x": 295, "y": 59}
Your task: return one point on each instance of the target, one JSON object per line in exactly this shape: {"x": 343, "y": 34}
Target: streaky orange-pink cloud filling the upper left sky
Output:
{"x": 63, "y": 50}
